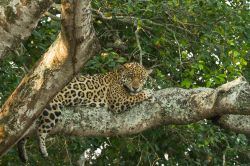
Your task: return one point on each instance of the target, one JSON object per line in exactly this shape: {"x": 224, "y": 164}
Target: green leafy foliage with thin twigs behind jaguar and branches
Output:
{"x": 188, "y": 43}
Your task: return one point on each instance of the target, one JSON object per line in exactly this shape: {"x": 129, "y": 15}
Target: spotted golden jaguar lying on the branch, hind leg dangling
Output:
{"x": 117, "y": 90}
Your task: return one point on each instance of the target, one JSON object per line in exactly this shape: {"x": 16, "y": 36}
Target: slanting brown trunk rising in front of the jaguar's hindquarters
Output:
{"x": 73, "y": 47}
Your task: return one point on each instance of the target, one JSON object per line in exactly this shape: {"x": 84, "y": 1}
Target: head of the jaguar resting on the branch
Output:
{"x": 133, "y": 76}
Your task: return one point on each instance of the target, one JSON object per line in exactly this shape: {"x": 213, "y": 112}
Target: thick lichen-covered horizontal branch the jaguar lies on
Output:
{"x": 172, "y": 106}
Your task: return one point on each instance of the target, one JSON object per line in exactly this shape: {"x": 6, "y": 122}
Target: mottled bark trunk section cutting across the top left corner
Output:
{"x": 17, "y": 20}
